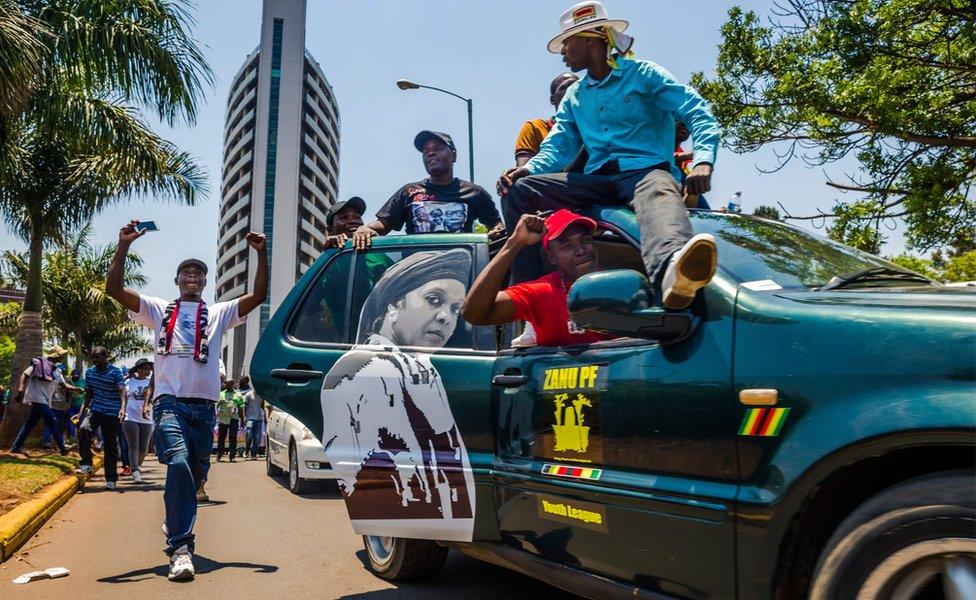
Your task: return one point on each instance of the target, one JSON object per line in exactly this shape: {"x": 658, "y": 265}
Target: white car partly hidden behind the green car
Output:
{"x": 293, "y": 448}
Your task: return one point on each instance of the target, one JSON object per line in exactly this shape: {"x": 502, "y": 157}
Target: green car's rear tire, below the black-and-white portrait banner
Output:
{"x": 402, "y": 559}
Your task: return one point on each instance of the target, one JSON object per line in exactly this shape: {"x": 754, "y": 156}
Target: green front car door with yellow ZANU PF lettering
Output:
{"x": 619, "y": 457}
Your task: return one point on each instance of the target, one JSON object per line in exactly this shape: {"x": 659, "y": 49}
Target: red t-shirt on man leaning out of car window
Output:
{"x": 543, "y": 303}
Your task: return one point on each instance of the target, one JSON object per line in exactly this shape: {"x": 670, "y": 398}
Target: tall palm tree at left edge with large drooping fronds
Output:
{"x": 80, "y": 143}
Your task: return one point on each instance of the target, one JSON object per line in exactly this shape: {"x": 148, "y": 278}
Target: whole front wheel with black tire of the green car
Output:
{"x": 908, "y": 541}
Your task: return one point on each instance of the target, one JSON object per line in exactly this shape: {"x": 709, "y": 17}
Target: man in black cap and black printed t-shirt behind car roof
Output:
{"x": 440, "y": 203}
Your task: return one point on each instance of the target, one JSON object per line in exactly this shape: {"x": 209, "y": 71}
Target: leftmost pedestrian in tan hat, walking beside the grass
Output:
{"x": 36, "y": 387}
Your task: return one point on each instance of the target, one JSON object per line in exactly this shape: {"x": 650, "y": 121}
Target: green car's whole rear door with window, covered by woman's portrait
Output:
{"x": 406, "y": 411}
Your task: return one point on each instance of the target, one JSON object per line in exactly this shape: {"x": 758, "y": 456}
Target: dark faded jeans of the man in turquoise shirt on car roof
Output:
{"x": 653, "y": 194}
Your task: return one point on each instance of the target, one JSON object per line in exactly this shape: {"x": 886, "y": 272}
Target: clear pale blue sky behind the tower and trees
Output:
{"x": 491, "y": 51}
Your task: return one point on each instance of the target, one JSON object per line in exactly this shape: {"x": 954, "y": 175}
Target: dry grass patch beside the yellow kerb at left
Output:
{"x": 21, "y": 478}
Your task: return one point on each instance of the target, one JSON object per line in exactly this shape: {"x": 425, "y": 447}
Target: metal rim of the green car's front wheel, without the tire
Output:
{"x": 915, "y": 569}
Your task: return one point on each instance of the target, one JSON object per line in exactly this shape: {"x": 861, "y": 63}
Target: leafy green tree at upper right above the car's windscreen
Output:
{"x": 891, "y": 83}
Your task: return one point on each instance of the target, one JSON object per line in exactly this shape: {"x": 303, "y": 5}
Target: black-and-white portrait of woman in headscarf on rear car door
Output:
{"x": 388, "y": 429}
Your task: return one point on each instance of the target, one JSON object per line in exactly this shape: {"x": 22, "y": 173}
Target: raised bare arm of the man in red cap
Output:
{"x": 485, "y": 303}
